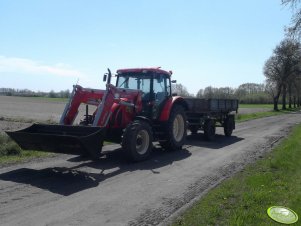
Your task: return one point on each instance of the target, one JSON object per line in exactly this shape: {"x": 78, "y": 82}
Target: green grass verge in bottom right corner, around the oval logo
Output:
{"x": 245, "y": 198}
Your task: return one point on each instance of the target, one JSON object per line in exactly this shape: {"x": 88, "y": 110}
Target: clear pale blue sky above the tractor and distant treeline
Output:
{"x": 50, "y": 44}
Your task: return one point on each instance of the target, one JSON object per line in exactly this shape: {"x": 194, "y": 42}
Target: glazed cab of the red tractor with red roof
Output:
{"x": 154, "y": 84}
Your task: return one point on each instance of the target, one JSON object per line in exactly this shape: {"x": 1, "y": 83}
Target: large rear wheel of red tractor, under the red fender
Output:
{"x": 175, "y": 130}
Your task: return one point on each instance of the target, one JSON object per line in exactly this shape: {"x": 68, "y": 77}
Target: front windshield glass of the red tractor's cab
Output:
{"x": 134, "y": 81}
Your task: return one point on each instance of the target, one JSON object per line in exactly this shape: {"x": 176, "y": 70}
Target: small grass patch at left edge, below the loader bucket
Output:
{"x": 10, "y": 152}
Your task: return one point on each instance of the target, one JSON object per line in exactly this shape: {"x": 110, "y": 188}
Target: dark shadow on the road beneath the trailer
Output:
{"x": 220, "y": 141}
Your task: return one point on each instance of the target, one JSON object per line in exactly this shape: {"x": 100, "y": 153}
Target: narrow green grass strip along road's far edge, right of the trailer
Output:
{"x": 256, "y": 115}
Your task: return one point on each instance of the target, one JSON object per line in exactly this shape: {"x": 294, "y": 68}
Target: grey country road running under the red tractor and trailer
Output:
{"x": 68, "y": 190}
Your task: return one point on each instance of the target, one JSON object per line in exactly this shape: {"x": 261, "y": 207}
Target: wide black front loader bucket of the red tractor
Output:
{"x": 61, "y": 139}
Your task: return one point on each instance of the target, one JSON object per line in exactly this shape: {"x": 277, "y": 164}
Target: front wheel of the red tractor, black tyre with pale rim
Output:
{"x": 137, "y": 140}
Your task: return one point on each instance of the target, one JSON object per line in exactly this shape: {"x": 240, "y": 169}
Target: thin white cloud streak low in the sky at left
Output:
{"x": 23, "y": 65}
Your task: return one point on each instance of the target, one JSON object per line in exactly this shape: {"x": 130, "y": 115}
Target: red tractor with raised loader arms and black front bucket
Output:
{"x": 137, "y": 111}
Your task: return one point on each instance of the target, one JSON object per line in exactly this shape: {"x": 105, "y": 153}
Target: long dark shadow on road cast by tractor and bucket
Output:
{"x": 69, "y": 180}
